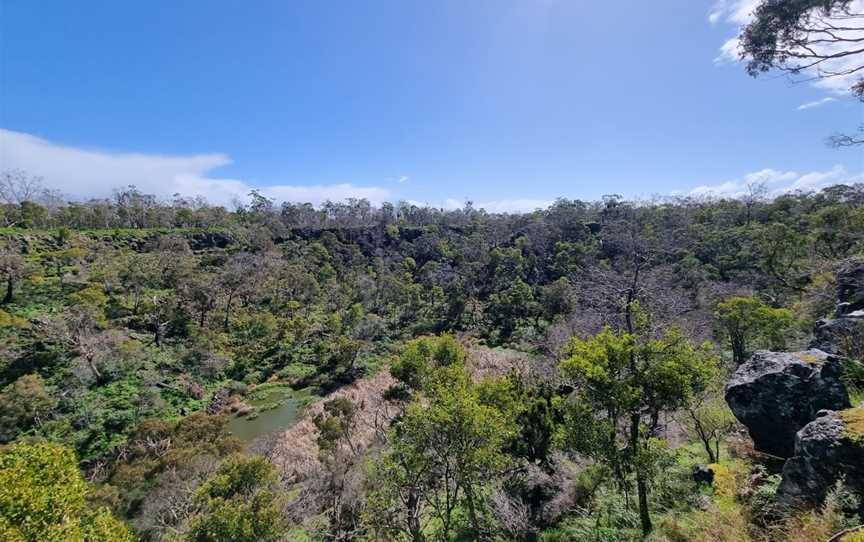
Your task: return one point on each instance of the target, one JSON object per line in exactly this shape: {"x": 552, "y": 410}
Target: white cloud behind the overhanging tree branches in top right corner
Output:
{"x": 740, "y": 13}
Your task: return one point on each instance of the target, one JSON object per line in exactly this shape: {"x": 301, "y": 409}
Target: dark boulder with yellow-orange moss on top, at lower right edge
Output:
{"x": 826, "y": 450}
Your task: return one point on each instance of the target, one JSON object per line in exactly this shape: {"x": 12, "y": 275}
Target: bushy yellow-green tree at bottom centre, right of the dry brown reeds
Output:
{"x": 448, "y": 444}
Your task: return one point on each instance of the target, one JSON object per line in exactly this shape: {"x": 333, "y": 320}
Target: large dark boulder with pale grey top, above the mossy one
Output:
{"x": 775, "y": 394}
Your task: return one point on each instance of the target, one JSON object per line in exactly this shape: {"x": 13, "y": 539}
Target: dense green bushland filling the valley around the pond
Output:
{"x": 133, "y": 331}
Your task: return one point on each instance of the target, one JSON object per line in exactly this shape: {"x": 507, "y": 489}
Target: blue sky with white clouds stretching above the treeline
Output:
{"x": 507, "y": 103}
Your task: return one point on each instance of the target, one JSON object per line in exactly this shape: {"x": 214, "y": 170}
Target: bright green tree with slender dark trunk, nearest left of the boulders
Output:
{"x": 627, "y": 380}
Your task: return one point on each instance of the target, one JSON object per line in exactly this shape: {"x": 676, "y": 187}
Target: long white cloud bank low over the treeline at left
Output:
{"x": 95, "y": 173}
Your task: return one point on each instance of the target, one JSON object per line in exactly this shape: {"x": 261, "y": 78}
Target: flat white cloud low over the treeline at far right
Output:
{"x": 778, "y": 183}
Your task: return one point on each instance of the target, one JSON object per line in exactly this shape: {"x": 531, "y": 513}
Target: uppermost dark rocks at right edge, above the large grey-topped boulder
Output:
{"x": 834, "y": 335}
